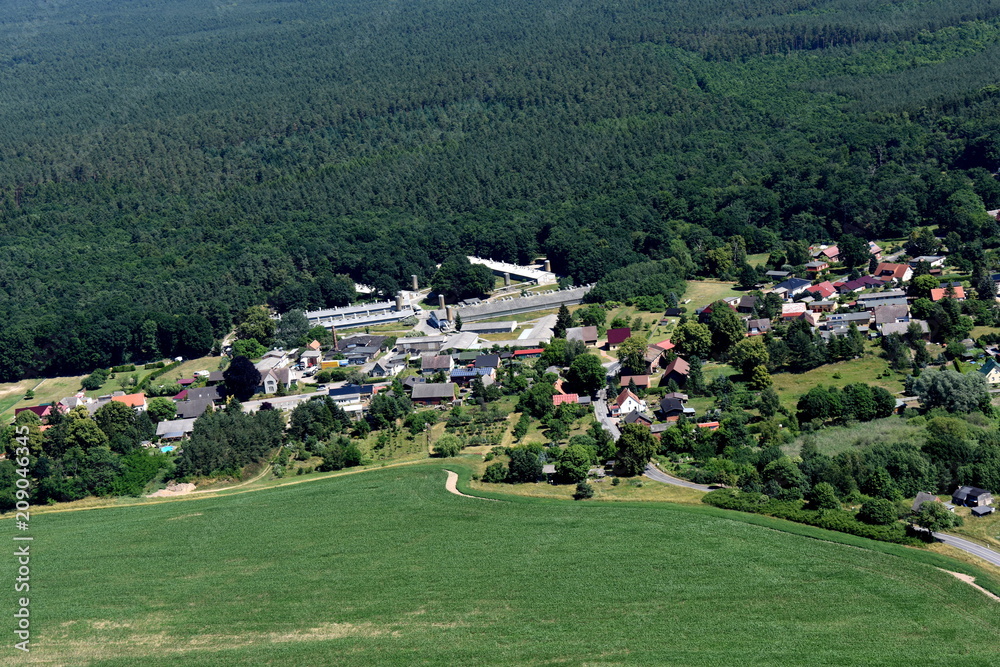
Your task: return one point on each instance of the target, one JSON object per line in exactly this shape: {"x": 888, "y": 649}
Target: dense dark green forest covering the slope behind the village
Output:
{"x": 164, "y": 165}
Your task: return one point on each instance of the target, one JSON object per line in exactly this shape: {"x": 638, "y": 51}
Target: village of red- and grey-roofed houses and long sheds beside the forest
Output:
{"x": 447, "y": 356}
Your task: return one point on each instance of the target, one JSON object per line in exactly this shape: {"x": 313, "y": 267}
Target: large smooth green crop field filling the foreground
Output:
{"x": 386, "y": 567}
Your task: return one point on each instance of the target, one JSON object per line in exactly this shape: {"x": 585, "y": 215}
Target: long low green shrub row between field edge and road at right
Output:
{"x": 793, "y": 510}
